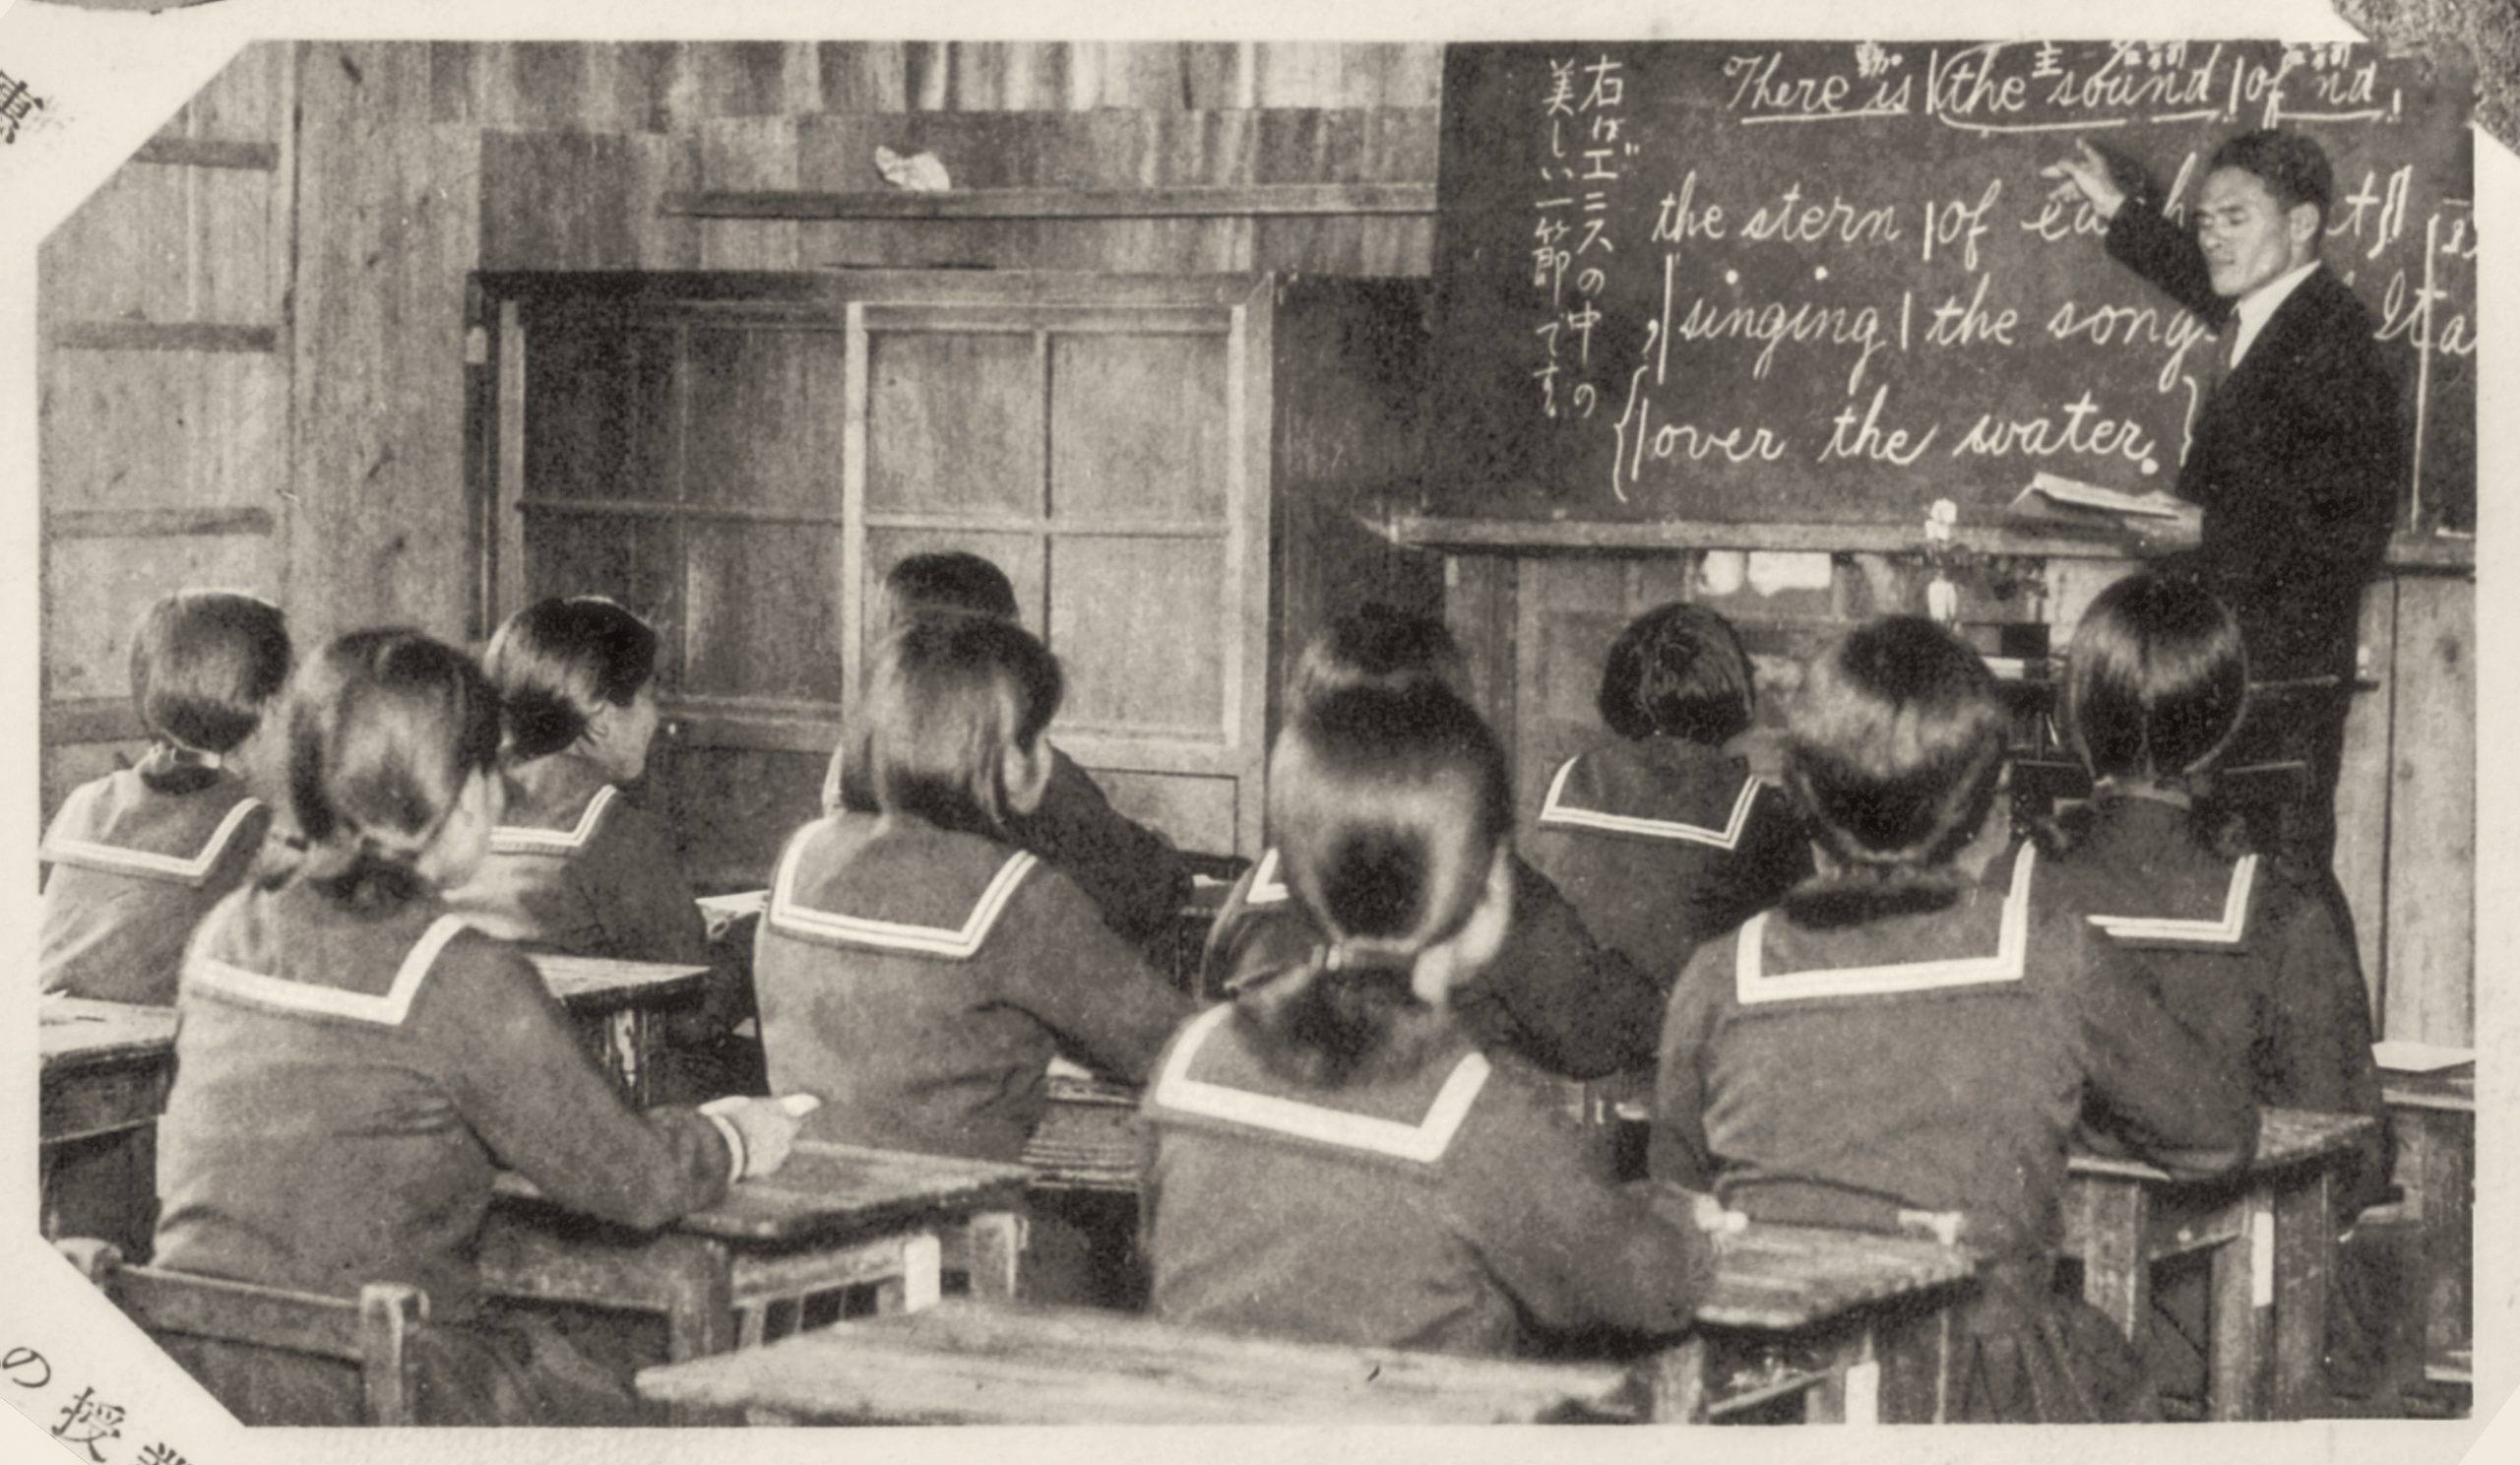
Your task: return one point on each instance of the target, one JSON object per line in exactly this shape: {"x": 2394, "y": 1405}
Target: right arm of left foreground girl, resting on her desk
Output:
{"x": 541, "y": 1103}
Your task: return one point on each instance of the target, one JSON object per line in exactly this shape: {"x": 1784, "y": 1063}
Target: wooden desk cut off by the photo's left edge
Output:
{"x": 105, "y": 1073}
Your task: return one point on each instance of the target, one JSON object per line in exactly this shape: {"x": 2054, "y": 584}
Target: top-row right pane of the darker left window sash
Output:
{"x": 767, "y": 412}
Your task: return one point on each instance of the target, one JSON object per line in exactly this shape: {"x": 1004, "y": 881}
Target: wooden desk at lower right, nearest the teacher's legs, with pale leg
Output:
{"x": 2272, "y": 1239}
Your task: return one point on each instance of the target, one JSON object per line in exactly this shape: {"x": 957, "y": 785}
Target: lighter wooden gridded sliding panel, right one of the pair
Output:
{"x": 1105, "y": 455}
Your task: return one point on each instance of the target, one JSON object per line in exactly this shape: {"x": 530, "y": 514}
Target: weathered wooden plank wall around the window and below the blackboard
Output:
{"x": 256, "y": 359}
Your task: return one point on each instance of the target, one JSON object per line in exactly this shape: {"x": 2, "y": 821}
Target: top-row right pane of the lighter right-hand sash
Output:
{"x": 1138, "y": 425}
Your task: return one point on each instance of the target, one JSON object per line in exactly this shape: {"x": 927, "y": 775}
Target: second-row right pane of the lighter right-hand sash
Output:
{"x": 1140, "y": 627}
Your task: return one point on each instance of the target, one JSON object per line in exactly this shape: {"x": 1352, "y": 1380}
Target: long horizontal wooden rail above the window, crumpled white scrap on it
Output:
{"x": 1163, "y": 203}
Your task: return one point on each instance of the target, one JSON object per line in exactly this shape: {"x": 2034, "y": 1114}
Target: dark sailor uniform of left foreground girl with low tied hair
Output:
{"x": 346, "y": 1091}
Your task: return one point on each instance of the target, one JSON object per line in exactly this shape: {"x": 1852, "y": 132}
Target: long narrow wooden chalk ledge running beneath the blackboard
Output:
{"x": 1549, "y": 536}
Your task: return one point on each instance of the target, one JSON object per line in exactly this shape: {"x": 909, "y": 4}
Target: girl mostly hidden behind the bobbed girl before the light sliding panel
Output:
{"x": 1133, "y": 874}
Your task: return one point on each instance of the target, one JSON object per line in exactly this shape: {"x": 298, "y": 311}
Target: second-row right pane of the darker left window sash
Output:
{"x": 765, "y": 614}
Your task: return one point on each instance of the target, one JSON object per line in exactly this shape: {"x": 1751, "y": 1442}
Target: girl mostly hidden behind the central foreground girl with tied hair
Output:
{"x": 1556, "y": 997}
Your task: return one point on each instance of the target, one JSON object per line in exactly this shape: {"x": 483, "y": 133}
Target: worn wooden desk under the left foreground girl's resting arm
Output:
{"x": 833, "y": 1217}
